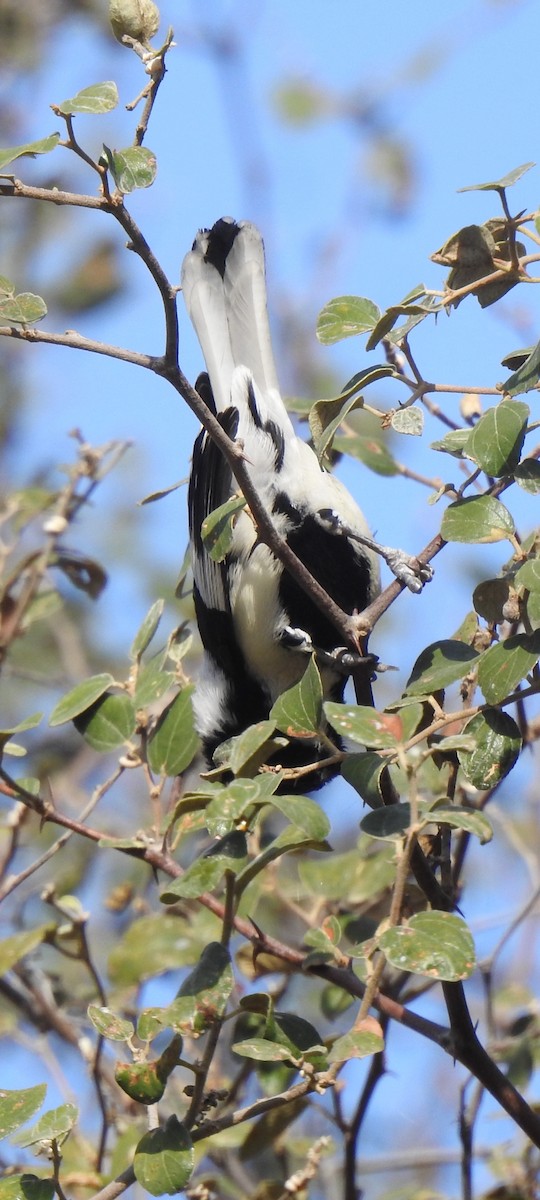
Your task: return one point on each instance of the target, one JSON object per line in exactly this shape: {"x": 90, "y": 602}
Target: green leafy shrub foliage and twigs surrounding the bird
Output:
{"x": 254, "y": 892}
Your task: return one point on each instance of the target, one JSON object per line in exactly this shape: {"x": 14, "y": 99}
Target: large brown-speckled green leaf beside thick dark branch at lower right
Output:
{"x": 437, "y": 945}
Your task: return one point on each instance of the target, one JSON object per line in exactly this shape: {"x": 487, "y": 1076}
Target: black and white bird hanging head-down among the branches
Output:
{"x": 257, "y": 625}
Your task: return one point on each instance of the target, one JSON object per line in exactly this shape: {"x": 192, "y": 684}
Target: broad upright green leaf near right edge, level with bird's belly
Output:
{"x": 497, "y": 440}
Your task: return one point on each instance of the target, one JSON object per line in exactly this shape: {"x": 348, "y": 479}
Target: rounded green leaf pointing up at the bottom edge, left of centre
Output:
{"x": 164, "y": 1161}
